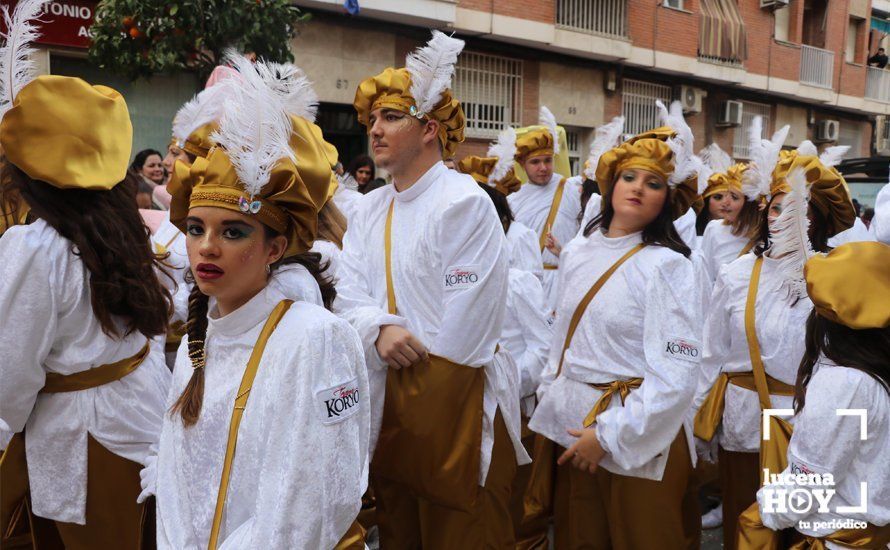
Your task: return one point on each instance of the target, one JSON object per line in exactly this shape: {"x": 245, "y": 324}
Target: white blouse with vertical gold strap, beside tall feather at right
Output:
{"x": 780, "y": 325}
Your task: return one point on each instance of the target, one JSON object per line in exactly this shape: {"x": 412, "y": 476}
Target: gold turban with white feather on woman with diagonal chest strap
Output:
{"x": 666, "y": 152}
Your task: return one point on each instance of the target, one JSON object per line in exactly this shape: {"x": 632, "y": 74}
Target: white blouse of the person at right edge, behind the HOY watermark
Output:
{"x": 825, "y": 442}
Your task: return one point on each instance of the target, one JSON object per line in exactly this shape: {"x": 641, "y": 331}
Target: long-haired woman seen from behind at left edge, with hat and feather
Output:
{"x": 82, "y": 389}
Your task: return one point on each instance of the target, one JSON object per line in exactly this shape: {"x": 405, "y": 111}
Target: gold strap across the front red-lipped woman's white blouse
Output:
{"x": 238, "y": 411}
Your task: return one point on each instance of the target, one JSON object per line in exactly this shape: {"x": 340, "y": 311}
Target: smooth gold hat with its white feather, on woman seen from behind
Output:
{"x": 57, "y": 129}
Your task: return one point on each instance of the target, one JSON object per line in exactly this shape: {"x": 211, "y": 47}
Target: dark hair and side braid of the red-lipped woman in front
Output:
{"x": 189, "y": 402}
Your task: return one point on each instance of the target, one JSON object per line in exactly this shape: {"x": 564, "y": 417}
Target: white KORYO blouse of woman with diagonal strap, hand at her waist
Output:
{"x": 638, "y": 326}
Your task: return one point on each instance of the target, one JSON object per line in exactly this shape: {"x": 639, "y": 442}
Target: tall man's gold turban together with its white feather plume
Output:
{"x": 421, "y": 89}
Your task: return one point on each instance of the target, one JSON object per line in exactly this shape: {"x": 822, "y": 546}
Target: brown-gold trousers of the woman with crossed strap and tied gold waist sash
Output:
{"x": 605, "y": 511}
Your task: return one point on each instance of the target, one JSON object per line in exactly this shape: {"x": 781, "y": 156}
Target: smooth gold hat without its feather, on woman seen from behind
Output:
{"x": 68, "y": 133}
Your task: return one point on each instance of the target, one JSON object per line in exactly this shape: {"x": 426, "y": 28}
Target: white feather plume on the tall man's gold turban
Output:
{"x": 431, "y": 68}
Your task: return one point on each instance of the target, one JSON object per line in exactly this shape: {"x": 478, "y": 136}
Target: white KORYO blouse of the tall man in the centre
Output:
{"x": 449, "y": 270}
